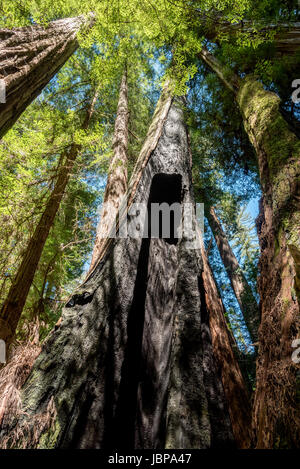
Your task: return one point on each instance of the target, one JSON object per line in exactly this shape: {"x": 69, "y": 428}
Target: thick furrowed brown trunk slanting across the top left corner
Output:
{"x": 29, "y": 58}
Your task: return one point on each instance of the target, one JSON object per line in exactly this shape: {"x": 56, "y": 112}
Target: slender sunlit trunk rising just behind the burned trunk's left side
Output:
{"x": 116, "y": 185}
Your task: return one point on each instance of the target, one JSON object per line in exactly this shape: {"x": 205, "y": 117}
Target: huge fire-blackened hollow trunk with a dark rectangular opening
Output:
{"x": 131, "y": 364}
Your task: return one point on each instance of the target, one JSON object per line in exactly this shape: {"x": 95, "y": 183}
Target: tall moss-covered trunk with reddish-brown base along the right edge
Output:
{"x": 278, "y": 154}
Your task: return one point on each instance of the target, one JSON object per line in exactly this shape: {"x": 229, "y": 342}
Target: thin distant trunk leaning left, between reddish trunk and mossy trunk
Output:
{"x": 241, "y": 288}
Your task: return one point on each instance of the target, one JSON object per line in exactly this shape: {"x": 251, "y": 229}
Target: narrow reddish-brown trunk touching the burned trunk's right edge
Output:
{"x": 223, "y": 347}
